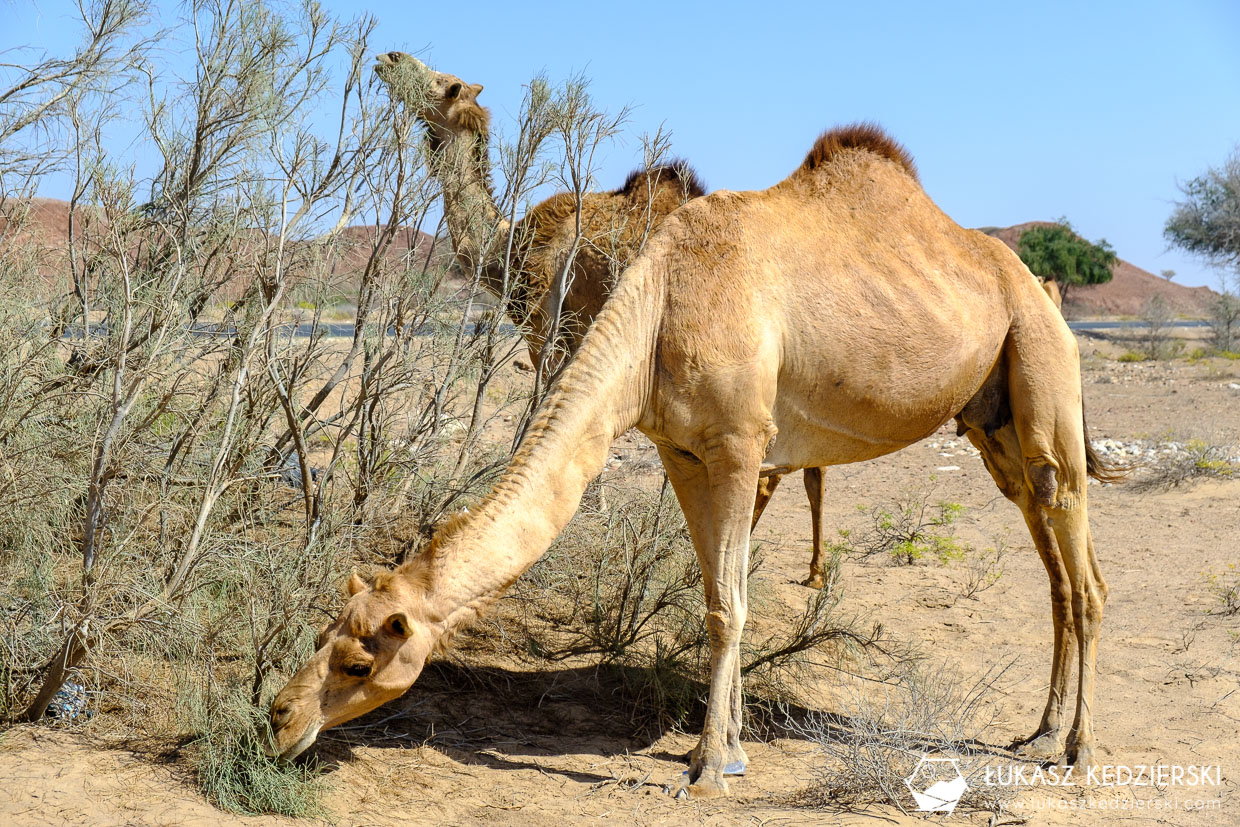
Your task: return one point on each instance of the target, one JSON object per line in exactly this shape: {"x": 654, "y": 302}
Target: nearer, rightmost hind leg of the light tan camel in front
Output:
{"x": 1045, "y": 394}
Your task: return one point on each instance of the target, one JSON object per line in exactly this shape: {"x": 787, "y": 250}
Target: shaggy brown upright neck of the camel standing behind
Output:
{"x": 462, "y": 164}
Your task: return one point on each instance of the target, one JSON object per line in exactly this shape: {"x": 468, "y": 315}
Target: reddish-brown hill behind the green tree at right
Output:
{"x": 1128, "y": 291}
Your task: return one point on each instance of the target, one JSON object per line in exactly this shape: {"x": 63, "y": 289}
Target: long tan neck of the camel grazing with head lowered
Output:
{"x": 603, "y": 392}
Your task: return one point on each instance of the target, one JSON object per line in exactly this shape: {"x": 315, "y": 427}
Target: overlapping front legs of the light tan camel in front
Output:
{"x": 717, "y": 500}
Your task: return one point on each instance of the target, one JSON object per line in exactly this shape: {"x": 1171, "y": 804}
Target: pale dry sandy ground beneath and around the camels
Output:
{"x": 533, "y": 750}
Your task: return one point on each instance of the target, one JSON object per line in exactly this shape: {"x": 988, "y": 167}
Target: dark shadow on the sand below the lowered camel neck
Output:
{"x": 511, "y": 720}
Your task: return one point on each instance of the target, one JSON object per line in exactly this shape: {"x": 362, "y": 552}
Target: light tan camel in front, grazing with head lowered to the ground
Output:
{"x": 834, "y": 318}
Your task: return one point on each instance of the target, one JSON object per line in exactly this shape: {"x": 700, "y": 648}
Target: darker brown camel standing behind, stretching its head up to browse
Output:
{"x": 614, "y": 228}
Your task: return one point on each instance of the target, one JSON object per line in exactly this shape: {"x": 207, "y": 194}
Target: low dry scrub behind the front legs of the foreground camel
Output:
{"x": 622, "y": 588}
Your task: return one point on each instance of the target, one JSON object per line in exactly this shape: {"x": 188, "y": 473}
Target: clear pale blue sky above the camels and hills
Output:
{"x": 1015, "y": 112}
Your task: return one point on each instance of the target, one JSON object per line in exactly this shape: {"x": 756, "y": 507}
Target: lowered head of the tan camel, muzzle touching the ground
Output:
{"x": 370, "y": 655}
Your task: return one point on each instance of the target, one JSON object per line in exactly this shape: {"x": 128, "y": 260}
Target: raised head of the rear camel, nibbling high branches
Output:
{"x": 446, "y": 104}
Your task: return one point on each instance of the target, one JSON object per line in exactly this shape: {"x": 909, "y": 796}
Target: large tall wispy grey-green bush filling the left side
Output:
{"x": 184, "y": 479}
